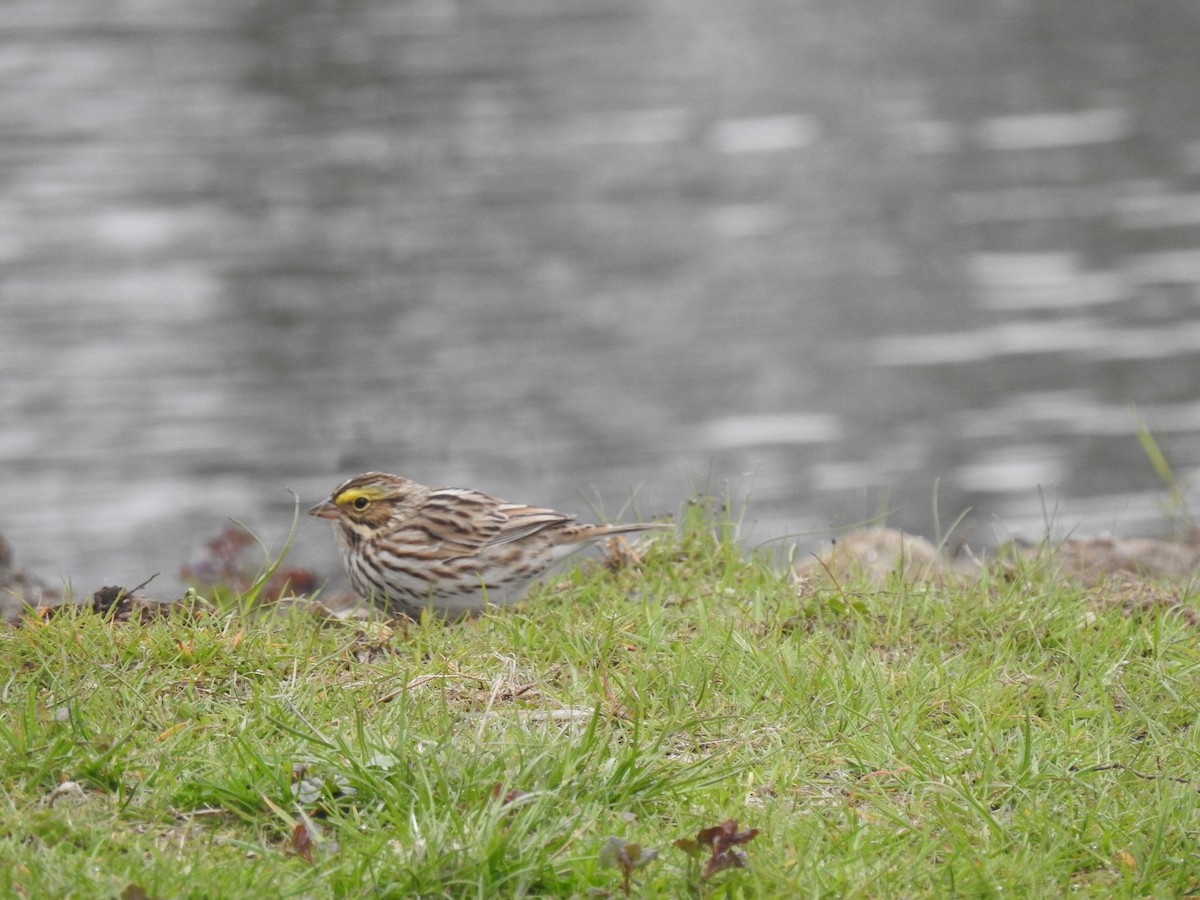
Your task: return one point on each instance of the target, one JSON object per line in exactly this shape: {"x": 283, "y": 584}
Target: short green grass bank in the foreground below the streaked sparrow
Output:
{"x": 1013, "y": 737}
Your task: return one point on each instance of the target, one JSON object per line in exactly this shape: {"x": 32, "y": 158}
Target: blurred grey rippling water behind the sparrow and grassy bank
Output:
{"x": 845, "y": 259}
